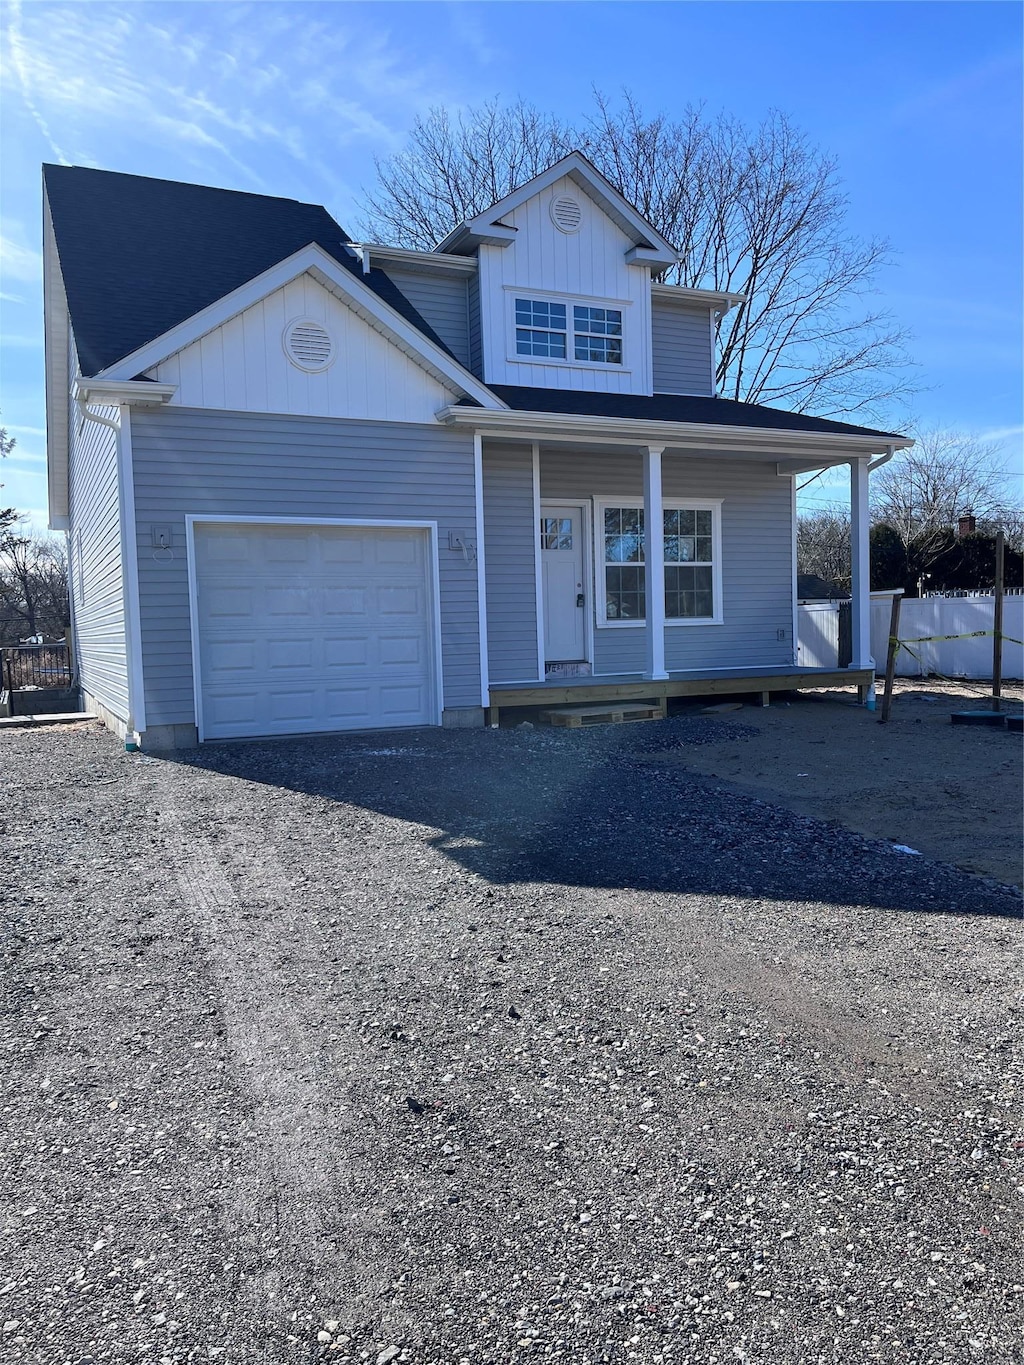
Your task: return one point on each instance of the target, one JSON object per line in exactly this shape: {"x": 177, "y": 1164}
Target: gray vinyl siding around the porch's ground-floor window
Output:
{"x": 757, "y": 556}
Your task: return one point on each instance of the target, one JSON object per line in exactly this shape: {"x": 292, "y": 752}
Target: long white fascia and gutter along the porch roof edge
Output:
{"x": 764, "y": 442}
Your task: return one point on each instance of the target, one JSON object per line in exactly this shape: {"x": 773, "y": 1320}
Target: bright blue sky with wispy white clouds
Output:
{"x": 921, "y": 103}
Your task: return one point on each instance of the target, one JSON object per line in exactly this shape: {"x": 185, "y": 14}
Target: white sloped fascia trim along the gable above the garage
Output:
{"x": 335, "y": 278}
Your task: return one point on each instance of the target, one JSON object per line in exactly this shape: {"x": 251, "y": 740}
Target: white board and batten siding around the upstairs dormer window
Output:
{"x": 589, "y": 267}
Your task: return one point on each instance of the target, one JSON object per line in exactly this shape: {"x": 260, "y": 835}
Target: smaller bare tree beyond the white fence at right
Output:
{"x": 924, "y": 492}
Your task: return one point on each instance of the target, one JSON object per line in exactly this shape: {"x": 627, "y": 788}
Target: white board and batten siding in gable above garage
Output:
{"x": 242, "y": 365}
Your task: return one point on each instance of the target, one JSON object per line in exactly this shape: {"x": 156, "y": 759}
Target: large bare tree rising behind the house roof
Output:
{"x": 754, "y": 211}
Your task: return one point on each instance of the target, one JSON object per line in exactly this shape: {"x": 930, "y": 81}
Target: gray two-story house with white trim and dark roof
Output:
{"x": 316, "y": 485}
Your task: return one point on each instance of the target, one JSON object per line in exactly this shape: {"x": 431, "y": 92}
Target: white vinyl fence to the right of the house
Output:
{"x": 819, "y": 637}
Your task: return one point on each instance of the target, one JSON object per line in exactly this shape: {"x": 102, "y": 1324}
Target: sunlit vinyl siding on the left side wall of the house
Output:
{"x": 96, "y": 562}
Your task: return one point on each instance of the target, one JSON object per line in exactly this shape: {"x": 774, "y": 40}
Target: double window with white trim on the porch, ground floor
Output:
{"x": 693, "y": 563}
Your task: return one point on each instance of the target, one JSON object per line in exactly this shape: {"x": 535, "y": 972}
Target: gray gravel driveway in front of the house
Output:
{"x": 492, "y": 1048}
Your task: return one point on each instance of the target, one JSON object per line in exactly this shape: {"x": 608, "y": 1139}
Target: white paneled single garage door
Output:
{"x": 313, "y": 629}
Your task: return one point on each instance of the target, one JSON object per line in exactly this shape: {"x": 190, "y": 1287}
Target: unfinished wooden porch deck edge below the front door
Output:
{"x": 630, "y": 687}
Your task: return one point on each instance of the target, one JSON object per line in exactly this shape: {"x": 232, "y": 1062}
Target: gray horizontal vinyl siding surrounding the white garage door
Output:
{"x": 200, "y": 462}
